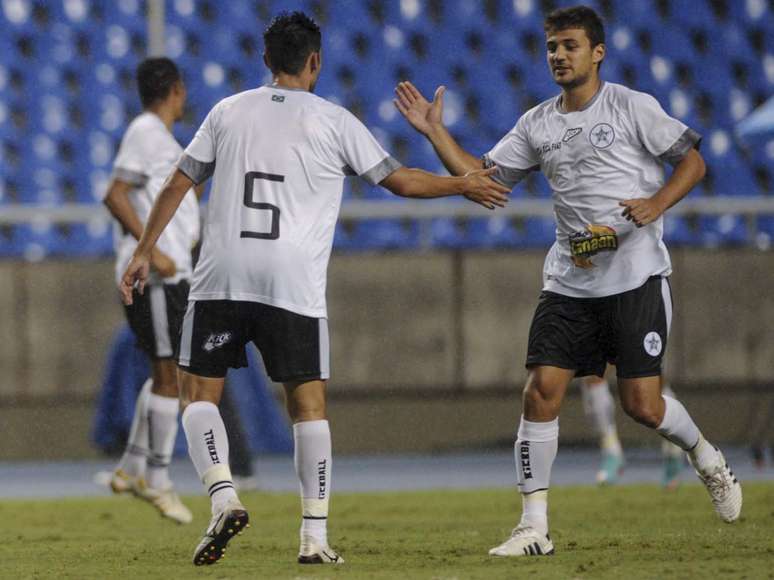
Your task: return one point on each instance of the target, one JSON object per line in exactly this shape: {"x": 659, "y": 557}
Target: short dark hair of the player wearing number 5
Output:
{"x": 289, "y": 40}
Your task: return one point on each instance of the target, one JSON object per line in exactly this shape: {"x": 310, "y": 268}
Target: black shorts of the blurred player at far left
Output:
{"x": 155, "y": 317}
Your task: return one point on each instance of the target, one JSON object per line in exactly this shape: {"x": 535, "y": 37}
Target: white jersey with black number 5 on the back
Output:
{"x": 278, "y": 158}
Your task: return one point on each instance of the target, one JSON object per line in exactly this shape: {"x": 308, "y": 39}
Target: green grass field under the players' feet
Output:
{"x": 620, "y": 532}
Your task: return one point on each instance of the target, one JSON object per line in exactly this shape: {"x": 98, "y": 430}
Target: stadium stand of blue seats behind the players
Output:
{"x": 67, "y": 92}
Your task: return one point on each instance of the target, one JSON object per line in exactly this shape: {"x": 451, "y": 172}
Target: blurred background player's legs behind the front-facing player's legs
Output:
{"x": 599, "y": 406}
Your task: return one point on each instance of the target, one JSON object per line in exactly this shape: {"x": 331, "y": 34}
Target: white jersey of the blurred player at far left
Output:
{"x": 146, "y": 157}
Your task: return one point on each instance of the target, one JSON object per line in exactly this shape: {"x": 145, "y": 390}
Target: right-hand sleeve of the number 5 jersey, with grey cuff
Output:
{"x": 361, "y": 153}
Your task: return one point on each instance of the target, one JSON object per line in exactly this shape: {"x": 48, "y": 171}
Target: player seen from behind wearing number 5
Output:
{"x": 278, "y": 156}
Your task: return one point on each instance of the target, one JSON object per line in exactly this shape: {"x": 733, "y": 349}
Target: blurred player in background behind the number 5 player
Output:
{"x": 147, "y": 154}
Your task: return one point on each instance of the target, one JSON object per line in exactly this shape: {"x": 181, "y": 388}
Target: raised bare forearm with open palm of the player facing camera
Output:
{"x": 427, "y": 119}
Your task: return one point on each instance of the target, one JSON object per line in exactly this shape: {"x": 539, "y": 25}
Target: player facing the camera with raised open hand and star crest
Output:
{"x": 606, "y": 294}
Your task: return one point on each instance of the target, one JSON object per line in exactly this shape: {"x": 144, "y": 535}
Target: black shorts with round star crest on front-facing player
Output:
{"x": 628, "y": 330}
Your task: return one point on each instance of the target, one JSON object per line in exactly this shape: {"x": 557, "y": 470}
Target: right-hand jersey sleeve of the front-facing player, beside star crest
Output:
{"x": 661, "y": 135}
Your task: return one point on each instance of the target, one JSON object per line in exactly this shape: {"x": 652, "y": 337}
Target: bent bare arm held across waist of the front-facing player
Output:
{"x": 688, "y": 172}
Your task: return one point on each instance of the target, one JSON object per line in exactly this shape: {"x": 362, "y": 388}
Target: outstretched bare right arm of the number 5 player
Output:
{"x": 477, "y": 186}
